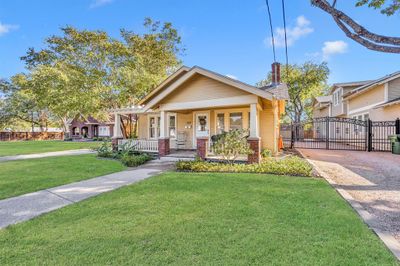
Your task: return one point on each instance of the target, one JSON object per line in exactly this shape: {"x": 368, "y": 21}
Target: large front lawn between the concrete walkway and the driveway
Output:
{"x": 201, "y": 219}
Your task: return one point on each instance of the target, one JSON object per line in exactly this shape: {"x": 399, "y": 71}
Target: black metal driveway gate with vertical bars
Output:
{"x": 336, "y": 133}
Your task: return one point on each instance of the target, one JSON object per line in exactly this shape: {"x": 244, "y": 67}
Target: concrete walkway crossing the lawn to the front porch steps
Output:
{"x": 28, "y": 206}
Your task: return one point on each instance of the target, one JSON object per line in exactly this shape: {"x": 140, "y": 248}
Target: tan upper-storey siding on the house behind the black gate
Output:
{"x": 370, "y": 97}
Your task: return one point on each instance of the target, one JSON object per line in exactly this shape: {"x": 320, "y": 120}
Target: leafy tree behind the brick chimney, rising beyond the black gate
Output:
{"x": 304, "y": 82}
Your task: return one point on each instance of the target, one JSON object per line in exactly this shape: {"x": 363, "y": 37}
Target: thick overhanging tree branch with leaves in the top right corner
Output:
{"x": 357, "y": 32}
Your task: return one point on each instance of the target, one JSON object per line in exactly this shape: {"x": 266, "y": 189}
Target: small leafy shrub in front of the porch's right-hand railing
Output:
{"x": 231, "y": 144}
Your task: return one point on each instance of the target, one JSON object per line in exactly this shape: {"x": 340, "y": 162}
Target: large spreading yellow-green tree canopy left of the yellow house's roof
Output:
{"x": 85, "y": 73}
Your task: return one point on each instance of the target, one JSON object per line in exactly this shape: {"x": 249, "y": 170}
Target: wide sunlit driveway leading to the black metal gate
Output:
{"x": 371, "y": 178}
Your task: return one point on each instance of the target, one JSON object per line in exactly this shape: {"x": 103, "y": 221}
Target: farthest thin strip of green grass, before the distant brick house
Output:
{"x": 28, "y": 147}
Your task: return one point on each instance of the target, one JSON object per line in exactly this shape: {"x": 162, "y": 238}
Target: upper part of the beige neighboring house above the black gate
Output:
{"x": 378, "y": 100}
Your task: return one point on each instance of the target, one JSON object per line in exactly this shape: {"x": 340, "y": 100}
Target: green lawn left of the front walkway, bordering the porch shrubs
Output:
{"x": 24, "y": 176}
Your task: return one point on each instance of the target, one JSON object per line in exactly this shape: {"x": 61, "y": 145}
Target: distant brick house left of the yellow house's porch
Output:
{"x": 91, "y": 128}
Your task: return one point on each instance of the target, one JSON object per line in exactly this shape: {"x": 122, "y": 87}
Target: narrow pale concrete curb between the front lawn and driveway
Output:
{"x": 390, "y": 242}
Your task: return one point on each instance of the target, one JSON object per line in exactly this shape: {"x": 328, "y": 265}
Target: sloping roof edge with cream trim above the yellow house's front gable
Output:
{"x": 185, "y": 73}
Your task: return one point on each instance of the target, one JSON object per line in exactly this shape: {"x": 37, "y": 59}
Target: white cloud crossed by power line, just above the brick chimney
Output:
{"x": 301, "y": 29}
